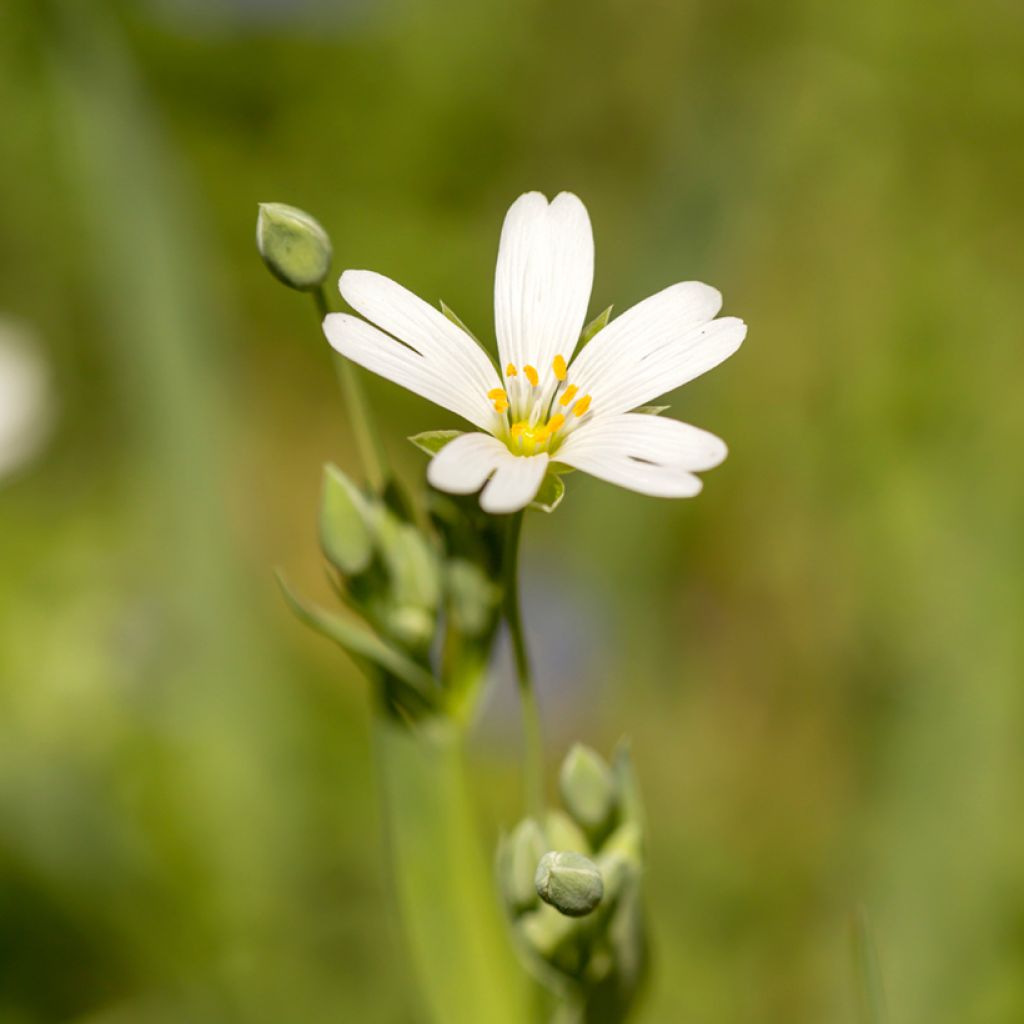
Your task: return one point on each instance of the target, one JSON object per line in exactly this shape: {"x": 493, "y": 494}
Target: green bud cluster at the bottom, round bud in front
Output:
{"x": 572, "y": 885}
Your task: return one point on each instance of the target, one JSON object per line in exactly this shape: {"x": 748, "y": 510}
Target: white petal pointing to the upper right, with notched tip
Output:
{"x": 659, "y": 346}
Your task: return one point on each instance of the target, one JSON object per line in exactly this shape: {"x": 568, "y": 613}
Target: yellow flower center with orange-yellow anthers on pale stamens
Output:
{"x": 542, "y": 411}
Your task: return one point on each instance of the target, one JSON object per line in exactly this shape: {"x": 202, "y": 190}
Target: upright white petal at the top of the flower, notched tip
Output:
{"x": 543, "y": 281}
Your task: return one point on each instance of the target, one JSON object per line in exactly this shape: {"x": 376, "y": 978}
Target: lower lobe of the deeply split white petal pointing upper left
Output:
{"x": 432, "y": 378}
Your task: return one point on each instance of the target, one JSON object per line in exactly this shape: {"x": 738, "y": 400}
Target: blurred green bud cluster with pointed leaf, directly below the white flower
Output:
{"x": 425, "y": 591}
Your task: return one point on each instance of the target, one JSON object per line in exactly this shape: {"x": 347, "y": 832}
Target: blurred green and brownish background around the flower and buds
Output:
{"x": 821, "y": 660}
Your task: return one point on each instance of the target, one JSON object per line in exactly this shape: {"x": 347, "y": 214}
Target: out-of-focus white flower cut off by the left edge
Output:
{"x": 26, "y": 399}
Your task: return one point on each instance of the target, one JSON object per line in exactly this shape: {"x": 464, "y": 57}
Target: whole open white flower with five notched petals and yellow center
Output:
{"x": 543, "y": 406}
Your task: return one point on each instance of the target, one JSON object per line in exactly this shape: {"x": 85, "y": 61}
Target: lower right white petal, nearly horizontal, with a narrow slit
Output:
{"x": 644, "y": 453}
